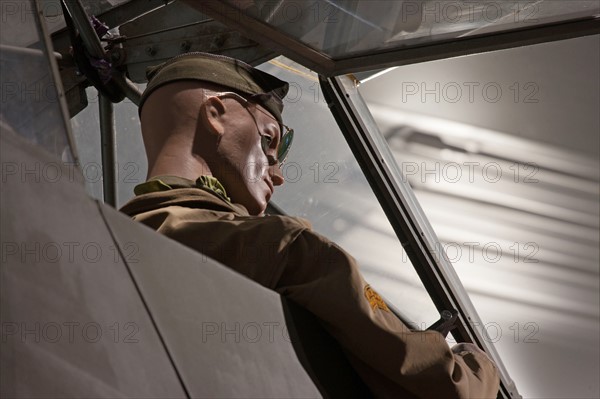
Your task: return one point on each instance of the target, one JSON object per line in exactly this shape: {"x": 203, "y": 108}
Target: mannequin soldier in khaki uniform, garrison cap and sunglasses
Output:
{"x": 215, "y": 140}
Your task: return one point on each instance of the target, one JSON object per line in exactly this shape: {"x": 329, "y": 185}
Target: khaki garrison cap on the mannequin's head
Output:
{"x": 240, "y": 77}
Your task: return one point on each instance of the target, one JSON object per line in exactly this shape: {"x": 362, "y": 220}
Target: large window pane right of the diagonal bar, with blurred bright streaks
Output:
{"x": 511, "y": 186}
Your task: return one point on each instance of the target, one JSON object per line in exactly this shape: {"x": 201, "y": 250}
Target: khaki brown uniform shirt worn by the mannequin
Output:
{"x": 284, "y": 254}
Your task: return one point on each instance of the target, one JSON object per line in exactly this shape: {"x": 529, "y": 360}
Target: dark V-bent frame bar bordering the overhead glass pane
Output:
{"x": 292, "y": 48}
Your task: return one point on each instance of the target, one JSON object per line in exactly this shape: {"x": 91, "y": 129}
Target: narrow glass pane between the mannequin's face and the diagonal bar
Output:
{"x": 325, "y": 185}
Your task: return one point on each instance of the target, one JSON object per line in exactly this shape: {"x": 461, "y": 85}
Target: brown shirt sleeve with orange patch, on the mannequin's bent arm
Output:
{"x": 393, "y": 360}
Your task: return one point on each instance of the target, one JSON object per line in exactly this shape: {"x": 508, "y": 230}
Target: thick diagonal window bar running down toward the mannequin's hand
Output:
{"x": 407, "y": 218}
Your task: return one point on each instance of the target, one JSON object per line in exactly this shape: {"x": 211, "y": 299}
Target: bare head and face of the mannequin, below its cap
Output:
{"x": 190, "y": 129}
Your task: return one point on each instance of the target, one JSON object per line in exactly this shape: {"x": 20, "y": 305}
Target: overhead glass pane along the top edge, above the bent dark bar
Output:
{"x": 344, "y": 28}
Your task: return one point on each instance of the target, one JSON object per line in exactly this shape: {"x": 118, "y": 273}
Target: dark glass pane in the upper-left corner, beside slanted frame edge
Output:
{"x": 29, "y": 102}
